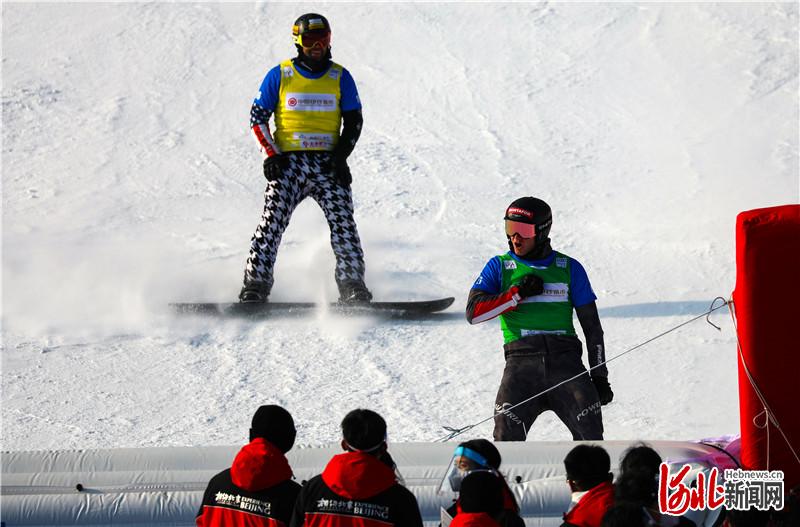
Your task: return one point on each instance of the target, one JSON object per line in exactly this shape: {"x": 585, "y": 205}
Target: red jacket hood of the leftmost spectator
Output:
{"x": 259, "y": 465}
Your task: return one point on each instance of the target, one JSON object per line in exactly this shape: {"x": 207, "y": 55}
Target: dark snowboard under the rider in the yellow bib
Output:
{"x": 233, "y": 309}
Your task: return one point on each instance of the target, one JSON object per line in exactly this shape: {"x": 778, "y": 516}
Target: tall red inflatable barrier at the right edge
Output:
{"x": 767, "y": 307}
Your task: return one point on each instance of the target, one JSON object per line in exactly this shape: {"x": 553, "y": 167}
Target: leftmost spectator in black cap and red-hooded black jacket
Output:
{"x": 258, "y": 489}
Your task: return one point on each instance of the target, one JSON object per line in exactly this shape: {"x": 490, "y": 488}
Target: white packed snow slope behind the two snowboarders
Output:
{"x": 130, "y": 180}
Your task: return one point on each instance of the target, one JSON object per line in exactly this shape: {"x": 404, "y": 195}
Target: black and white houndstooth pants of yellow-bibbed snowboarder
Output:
{"x": 306, "y": 177}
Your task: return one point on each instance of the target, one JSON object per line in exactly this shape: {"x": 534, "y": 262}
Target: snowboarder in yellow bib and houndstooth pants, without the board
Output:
{"x": 318, "y": 121}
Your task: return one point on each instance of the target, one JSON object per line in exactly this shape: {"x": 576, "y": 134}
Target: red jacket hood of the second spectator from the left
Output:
{"x": 357, "y": 475}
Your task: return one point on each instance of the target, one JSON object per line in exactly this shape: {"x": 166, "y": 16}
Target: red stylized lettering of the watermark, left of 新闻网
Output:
{"x": 675, "y": 497}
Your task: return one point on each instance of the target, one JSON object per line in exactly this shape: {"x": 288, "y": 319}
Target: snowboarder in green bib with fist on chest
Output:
{"x": 534, "y": 290}
